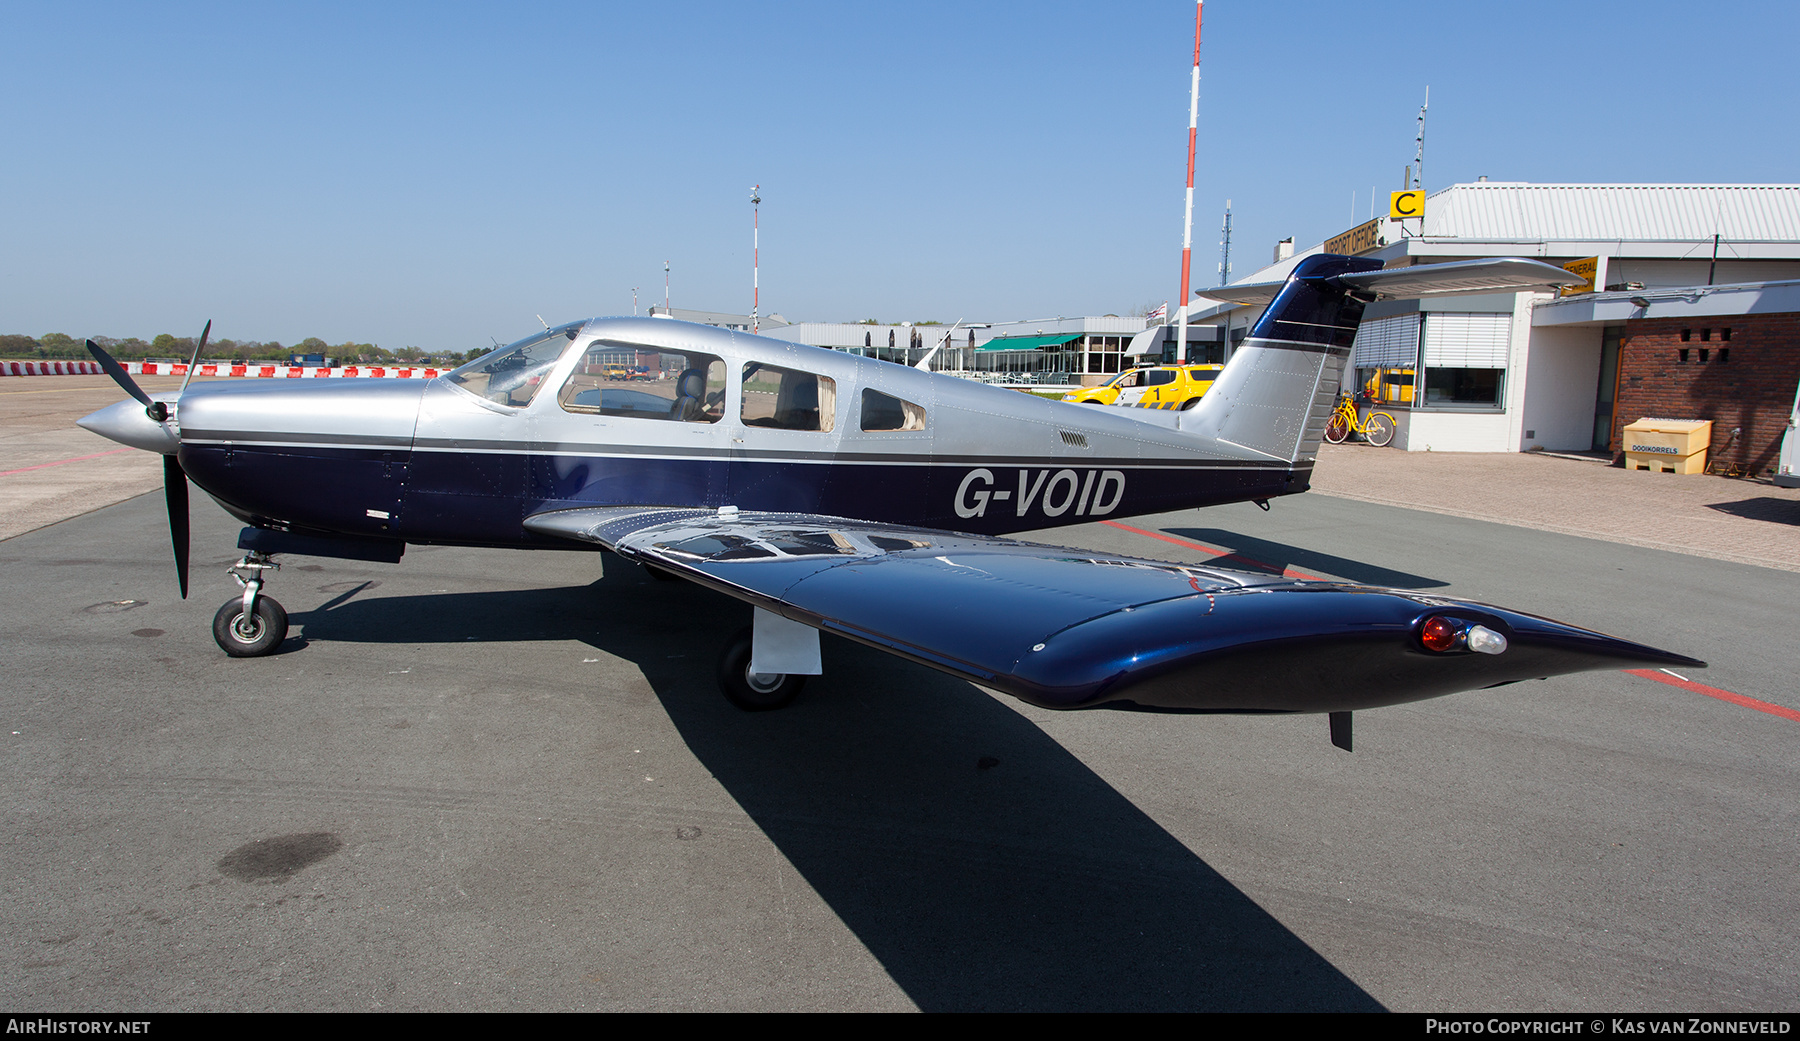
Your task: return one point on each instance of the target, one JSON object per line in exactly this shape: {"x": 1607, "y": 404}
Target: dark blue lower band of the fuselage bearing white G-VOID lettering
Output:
{"x": 483, "y": 498}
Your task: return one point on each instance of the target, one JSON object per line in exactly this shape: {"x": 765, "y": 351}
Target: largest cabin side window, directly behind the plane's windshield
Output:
{"x": 640, "y": 383}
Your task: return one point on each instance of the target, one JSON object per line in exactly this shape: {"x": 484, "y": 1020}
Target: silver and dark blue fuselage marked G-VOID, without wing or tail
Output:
{"x": 651, "y": 412}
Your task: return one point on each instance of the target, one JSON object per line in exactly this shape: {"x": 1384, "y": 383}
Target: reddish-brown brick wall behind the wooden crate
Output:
{"x": 1747, "y": 381}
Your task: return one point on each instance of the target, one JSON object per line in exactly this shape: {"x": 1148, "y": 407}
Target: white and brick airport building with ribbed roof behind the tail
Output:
{"x": 1531, "y": 372}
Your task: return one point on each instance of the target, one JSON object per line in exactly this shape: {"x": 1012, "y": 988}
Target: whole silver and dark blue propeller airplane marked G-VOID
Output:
{"x": 868, "y": 500}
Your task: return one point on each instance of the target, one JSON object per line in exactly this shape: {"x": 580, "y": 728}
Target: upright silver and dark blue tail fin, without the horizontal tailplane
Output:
{"x": 1279, "y": 390}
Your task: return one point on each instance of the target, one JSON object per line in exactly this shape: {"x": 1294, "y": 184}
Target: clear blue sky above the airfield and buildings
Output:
{"x": 440, "y": 174}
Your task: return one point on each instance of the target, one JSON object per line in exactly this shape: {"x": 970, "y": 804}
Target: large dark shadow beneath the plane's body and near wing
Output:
{"x": 978, "y": 860}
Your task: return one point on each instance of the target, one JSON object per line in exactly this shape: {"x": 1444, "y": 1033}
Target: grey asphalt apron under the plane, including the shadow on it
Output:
{"x": 507, "y": 781}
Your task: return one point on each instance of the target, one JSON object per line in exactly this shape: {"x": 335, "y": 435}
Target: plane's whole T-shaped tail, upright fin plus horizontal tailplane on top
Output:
{"x": 1281, "y": 386}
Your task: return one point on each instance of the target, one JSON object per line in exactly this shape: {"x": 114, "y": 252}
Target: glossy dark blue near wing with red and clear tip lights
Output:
{"x": 1079, "y": 629}
